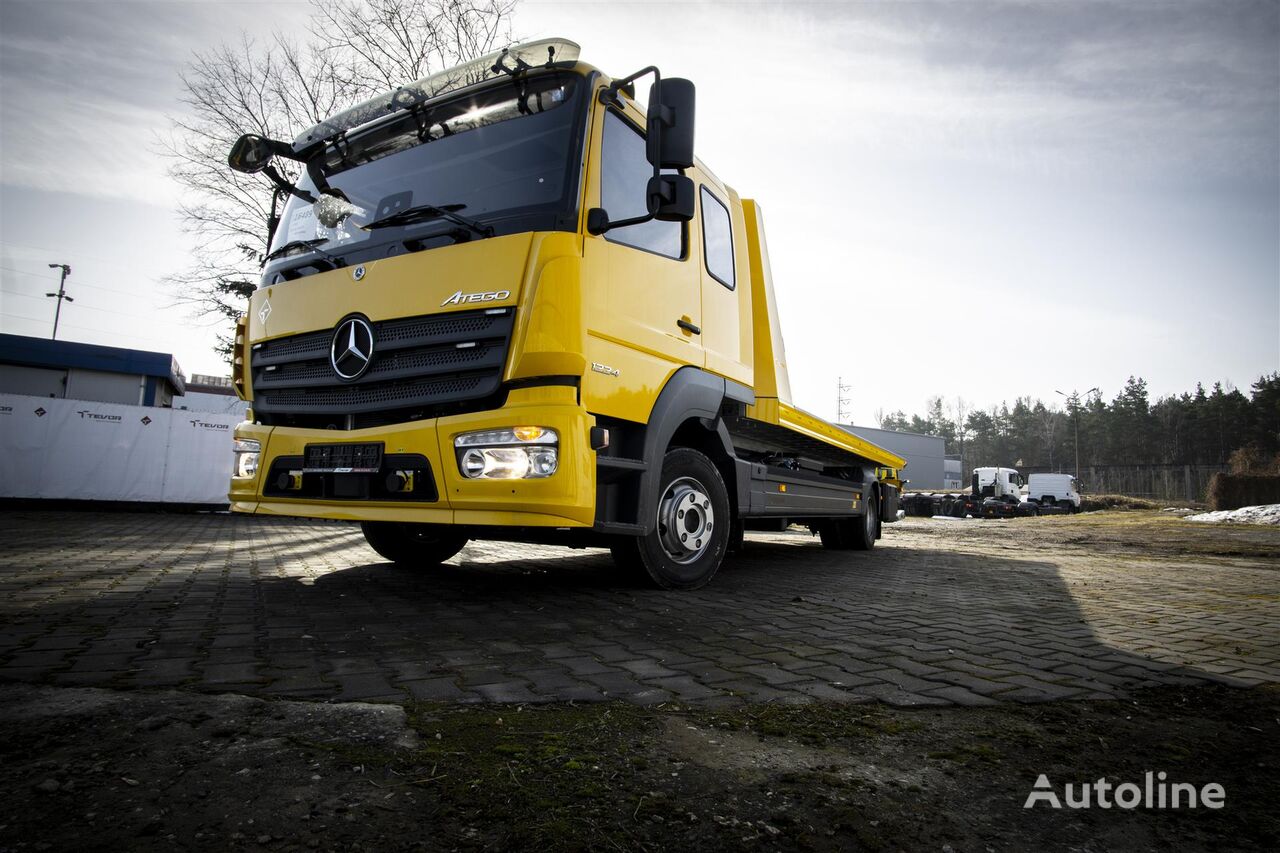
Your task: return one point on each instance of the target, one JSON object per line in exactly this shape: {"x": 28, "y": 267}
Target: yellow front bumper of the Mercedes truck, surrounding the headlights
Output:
{"x": 566, "y": 499}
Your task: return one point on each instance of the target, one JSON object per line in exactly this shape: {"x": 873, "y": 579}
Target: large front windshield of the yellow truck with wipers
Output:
{"x": 505, "y": 157}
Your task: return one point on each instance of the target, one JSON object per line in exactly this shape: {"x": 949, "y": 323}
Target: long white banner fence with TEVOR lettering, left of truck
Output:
{"x": 92, "y": 451}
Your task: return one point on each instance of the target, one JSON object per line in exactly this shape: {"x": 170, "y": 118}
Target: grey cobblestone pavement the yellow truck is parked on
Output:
{"x": 300, "y": 609}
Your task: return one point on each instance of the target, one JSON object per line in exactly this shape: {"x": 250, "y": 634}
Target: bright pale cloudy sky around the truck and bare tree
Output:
{"x": 979, "y": 200}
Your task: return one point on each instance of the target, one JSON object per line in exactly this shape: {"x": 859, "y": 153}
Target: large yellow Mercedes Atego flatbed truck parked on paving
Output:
{"x": 509, "y": 303}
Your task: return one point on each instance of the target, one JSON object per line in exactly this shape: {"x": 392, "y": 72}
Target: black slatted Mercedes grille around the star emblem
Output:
{"x": 423, "y": 367}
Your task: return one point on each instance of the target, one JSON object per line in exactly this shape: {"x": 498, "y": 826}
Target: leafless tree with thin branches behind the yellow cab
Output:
{"x": 278, "y": 88}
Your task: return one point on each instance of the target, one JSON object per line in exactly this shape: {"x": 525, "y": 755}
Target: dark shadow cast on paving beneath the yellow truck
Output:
{"x": 784, "y": 621}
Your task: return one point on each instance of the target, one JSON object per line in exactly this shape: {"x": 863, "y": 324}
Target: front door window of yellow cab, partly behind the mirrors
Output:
{"x": 625, "y": 175}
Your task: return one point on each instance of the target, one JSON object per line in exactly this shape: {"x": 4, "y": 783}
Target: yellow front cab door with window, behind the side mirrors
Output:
{"x": 642, "y": 282}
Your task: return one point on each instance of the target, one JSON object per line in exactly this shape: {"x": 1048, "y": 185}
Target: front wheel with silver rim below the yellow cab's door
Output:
{"x": 693, "y": 528}
